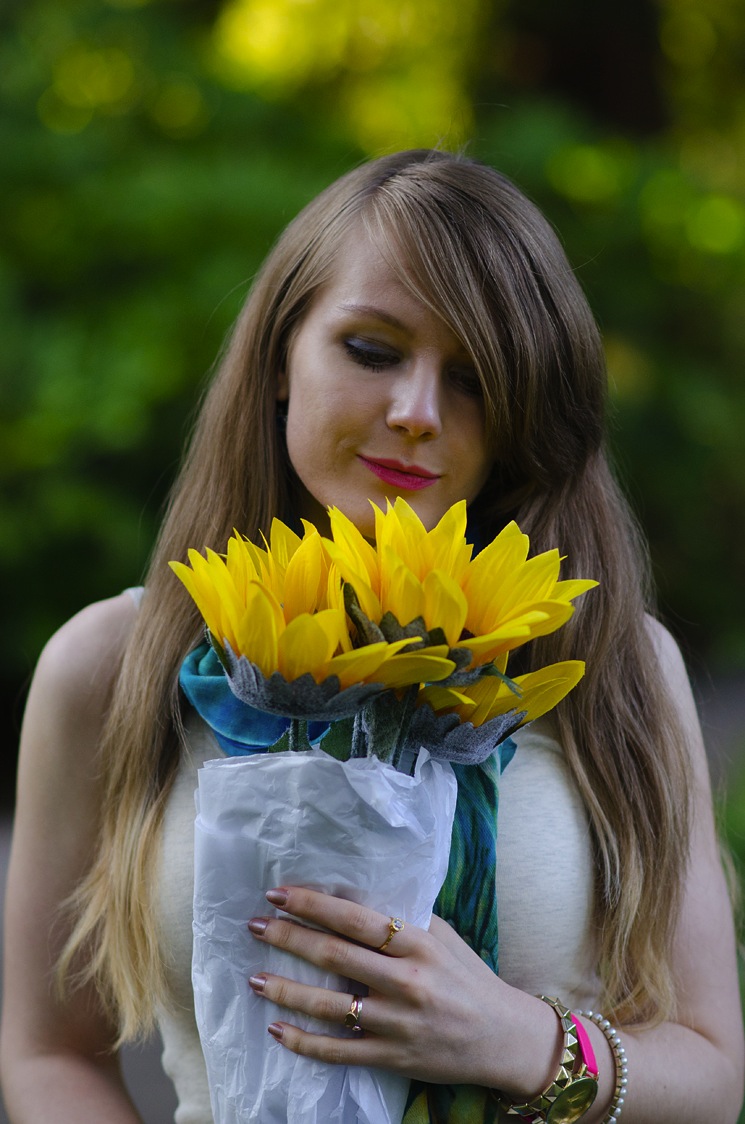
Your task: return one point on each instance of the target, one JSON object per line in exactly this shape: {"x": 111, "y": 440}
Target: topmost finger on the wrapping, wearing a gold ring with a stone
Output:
{"x": 366, "y": 927}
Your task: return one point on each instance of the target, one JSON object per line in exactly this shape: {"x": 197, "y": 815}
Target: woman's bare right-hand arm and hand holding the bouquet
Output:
{"x": 435, "y": 1012}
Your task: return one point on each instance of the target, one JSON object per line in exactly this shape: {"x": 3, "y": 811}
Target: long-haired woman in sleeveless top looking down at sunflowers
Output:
{"x": 417, "y": 331}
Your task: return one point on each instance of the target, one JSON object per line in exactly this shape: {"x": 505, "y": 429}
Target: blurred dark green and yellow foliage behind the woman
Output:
{"x": 150, "y": 152}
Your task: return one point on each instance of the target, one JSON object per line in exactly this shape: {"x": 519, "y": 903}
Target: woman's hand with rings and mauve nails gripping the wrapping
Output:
{"x": 434, "y": 1011}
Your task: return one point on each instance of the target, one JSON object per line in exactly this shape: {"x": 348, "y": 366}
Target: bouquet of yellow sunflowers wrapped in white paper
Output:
{"x": 371, "y": 669}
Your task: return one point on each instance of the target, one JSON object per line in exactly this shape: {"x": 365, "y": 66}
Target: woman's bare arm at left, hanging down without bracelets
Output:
{"x": 57, "y": 1060}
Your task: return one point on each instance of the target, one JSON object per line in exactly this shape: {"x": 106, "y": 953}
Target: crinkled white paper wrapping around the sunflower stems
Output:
{"x": 359, "y": 830}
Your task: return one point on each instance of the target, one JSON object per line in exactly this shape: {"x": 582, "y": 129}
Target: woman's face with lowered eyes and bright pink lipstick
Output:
{"x": 383, "y": 400}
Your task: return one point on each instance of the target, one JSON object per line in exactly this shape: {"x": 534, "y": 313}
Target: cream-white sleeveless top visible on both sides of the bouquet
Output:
{"x": 544, "y": 886}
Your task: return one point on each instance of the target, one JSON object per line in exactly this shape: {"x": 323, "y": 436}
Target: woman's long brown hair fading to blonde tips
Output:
{"x": 473, "y": 248}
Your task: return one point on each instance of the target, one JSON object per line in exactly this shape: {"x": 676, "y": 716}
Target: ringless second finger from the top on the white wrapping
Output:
{"x": 328, "y": 951}
